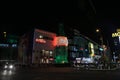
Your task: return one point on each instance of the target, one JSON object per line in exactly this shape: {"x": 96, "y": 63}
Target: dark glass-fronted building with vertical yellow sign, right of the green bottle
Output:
{"x": 82, "y": 49}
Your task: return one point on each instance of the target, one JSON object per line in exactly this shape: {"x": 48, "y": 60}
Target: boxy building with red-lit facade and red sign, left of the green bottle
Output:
{"x": 37, "y": 47}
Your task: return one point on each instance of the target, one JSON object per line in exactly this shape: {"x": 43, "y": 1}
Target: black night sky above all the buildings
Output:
{"x": 20, "y": 17}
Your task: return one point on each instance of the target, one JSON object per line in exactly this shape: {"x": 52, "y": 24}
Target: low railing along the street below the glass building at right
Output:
{"x": 100, "y": 66}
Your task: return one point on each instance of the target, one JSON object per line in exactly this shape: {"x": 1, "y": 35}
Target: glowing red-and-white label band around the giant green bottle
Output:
{"x": 61, "y": 41}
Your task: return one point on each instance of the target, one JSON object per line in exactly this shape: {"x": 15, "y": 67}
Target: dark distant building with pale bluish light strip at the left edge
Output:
{"x": 8, "y": 46}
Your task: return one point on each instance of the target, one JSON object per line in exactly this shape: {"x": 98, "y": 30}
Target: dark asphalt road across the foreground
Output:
{"x": 64, "y": 73}
